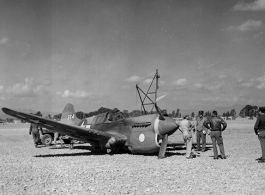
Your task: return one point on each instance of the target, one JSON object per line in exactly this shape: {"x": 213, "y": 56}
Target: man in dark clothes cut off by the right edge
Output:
{"x": 259, "y": 129}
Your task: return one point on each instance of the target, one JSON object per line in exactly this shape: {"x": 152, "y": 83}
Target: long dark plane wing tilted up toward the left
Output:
{"x": 81, "y": 133}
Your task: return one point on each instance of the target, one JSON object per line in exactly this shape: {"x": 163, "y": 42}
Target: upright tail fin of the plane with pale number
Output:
{"x": 69, "y": 116}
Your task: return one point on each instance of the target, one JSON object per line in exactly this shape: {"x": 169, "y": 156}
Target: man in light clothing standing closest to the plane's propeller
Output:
{"x": 186, "y": 127}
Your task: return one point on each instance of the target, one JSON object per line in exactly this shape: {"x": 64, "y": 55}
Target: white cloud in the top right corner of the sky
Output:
{"x": 254, "y": 6}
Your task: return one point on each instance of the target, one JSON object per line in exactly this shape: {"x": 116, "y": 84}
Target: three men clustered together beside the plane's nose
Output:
{"x": 213, "y": 126}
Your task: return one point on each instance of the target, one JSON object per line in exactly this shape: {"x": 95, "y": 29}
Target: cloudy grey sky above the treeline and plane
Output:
{"x": 92, "y": 53}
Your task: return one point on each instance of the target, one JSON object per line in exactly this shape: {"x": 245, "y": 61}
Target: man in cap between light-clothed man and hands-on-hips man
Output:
{"x": 201, "y": 131}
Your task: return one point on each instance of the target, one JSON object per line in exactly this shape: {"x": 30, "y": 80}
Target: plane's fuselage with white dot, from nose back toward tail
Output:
{"x": 142, "y": 133}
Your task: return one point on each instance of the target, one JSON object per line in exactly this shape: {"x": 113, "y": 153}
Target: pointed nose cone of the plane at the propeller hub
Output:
{"x": 167, "y": 126}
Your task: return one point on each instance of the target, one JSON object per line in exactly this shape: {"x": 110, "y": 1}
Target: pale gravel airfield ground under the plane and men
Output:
{"x": 25, "y": 169}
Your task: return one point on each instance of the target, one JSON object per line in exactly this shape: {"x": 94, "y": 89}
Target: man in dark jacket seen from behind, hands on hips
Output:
{"x": 216, "y": 125}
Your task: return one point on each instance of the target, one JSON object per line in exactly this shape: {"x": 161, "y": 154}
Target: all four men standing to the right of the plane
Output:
{"x": 214, "y": 127}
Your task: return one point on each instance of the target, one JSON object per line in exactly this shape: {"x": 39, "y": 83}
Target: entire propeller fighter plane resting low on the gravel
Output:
{"x": 112, "y": 131}
